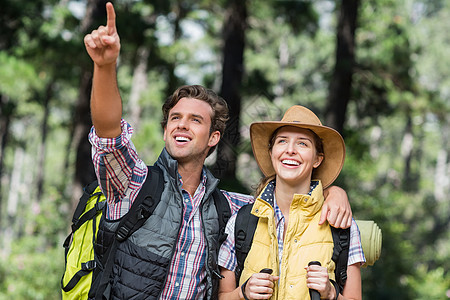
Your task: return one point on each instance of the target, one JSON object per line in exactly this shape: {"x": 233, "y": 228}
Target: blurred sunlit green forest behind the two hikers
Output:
{"x": 376, "y": 70}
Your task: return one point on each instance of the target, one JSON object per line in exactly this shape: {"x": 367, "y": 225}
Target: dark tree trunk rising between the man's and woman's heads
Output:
{"x": 232, "y": 72}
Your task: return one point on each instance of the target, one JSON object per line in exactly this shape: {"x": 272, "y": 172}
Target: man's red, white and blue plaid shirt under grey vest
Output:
{"x": 121, "y": 174}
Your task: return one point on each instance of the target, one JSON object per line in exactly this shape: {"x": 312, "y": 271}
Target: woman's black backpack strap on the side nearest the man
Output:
{"x": 244, "y": 231}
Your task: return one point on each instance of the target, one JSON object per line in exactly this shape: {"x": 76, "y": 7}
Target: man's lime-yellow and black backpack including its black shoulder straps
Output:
{"x": 81, "y": 279}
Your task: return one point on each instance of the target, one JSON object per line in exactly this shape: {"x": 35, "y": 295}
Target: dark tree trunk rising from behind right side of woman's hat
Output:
{"x": 341, "y": 81}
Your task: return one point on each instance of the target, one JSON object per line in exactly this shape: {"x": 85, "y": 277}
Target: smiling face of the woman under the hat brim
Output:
{"x": 294, "y": 154}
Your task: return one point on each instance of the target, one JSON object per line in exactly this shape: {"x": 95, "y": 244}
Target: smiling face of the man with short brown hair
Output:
{"x": 187, "y": 134}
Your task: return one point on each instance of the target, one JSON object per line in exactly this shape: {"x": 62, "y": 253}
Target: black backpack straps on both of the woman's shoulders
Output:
{"x": 245, "y": 228}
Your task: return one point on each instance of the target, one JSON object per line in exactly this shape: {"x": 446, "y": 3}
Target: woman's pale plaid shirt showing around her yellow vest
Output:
{"x": 227, "y": 253}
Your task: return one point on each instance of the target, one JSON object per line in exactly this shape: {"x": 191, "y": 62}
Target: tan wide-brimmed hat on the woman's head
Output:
{"x": 301, "y": 117}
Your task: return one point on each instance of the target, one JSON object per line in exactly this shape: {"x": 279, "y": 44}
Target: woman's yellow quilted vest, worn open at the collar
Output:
{"x": 304, "y": 241}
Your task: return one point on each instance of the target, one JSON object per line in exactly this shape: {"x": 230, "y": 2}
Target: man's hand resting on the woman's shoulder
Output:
{"x": 336, "y": 208}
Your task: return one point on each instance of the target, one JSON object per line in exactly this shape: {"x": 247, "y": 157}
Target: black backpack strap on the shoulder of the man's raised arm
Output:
{"x": 141, "y": 209}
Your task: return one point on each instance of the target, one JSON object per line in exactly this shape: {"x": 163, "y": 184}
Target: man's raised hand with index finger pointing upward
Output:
{"x": 103, "y": 44}
